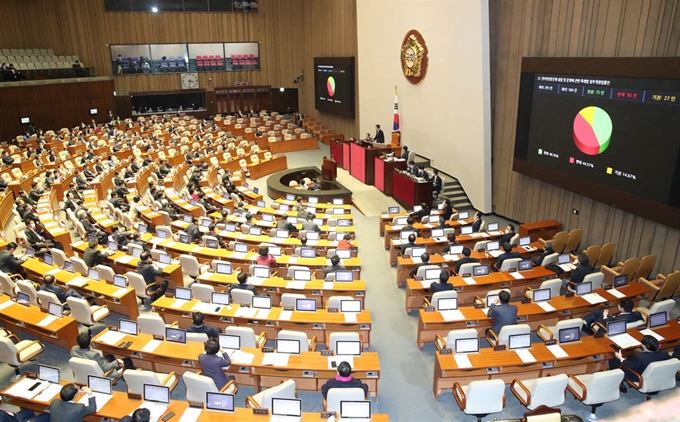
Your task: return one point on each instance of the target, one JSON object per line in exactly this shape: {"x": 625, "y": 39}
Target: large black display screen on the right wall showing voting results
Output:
{"x": 602, "y": 133}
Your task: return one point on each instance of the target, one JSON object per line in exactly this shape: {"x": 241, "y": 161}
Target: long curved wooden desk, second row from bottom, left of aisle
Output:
{"x": 168, "y": 357}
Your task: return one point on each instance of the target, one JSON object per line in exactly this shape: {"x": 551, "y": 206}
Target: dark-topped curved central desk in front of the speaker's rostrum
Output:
{"x": 277, "y": 185}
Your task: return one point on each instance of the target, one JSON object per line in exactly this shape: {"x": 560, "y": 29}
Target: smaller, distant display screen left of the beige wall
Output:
{"x": 334, "y": 85}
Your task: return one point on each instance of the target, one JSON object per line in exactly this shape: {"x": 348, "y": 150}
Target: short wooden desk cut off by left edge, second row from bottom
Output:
{"x": 26, "y": 319}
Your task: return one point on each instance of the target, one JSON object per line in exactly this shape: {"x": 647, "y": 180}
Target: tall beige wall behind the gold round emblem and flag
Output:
{"x": 445, "y": 118}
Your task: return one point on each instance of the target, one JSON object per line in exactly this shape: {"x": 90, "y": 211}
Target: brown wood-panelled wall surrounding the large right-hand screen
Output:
{"x": 581, "y": 28}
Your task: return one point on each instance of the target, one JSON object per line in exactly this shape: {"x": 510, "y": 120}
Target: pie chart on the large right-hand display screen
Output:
{"x": 592, "y": 130}
